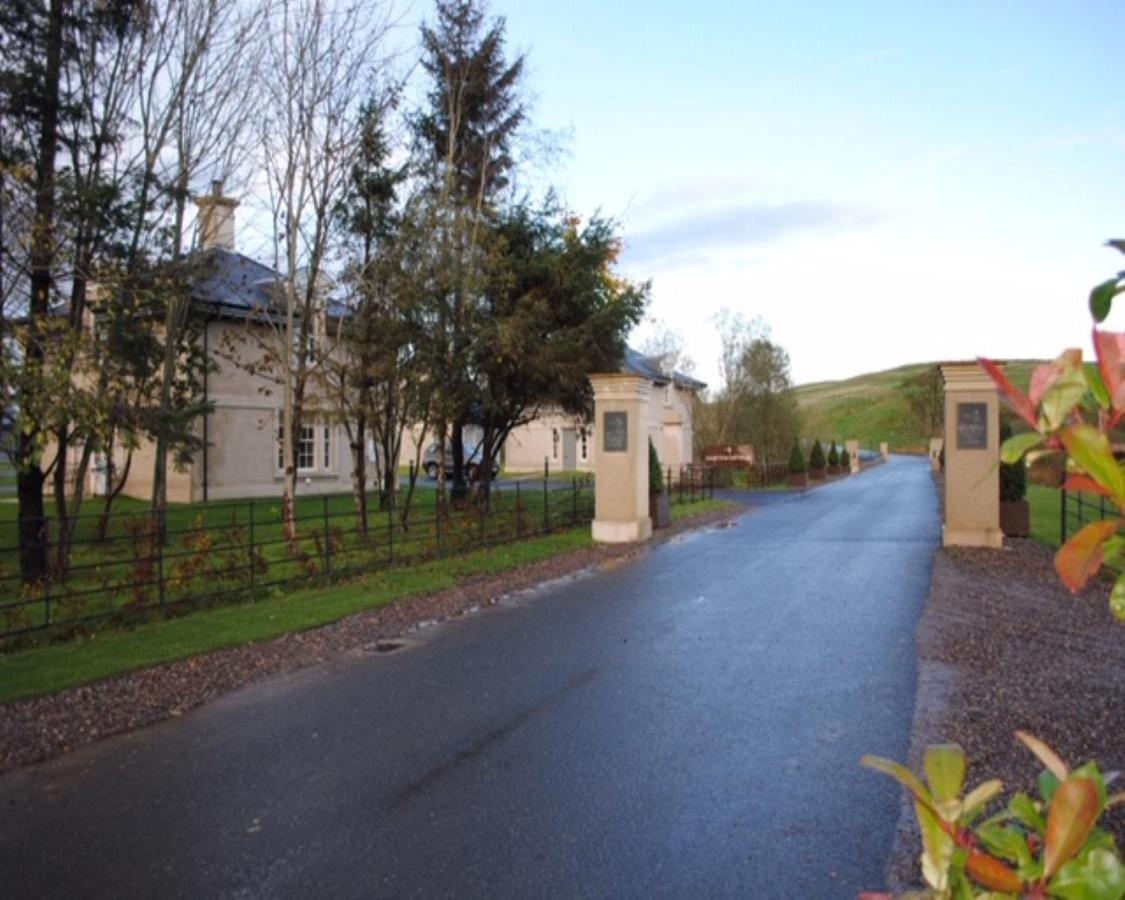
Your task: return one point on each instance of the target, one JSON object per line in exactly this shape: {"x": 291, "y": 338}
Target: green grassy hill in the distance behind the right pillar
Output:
{"x": 872, "y": 408}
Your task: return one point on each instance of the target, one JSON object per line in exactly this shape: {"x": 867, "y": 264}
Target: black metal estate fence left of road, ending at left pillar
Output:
{"x": 133, "y": 570}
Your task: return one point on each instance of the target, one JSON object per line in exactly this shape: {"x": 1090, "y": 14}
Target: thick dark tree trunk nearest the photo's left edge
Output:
{"x": 33, "y": 533}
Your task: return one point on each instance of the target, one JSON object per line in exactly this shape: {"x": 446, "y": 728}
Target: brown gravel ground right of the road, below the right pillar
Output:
{"x": 1003, "y": 646}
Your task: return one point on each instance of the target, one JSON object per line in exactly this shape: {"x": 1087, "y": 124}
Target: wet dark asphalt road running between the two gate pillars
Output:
{"x": 686, "y": 724}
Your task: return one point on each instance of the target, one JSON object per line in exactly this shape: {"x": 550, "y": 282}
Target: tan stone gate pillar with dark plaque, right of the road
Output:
{"x": 973, "y": 454}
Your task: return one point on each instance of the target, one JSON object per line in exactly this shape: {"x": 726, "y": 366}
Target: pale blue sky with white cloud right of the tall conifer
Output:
{"x": 883, "y": 183}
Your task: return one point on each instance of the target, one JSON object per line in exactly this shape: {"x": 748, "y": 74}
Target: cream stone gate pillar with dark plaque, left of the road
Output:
{"x": 622, "y": 458}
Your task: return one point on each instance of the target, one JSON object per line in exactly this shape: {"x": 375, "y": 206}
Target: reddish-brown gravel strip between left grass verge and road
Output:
{"x": 41, "y": 728}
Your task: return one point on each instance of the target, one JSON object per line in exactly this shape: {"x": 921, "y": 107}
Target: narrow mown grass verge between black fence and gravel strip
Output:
{"x": 53, "y": 668}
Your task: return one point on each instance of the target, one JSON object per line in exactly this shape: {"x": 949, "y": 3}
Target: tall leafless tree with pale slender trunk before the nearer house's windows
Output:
{"x": 319, "y": 64}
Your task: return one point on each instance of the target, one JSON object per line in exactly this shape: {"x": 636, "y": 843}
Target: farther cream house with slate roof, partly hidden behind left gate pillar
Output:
{"x": 565, "y": 443}
